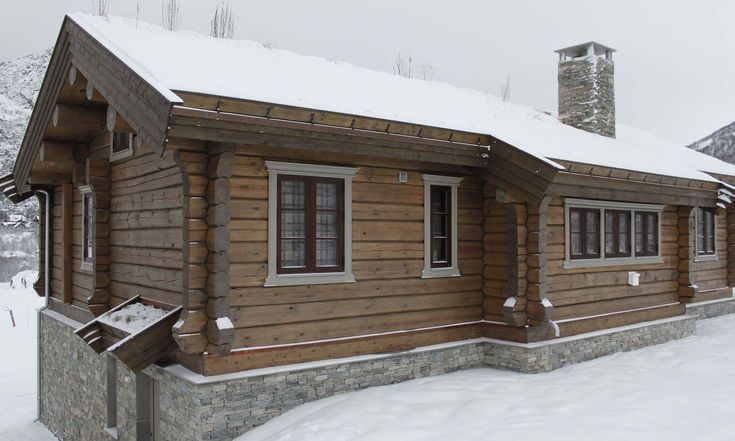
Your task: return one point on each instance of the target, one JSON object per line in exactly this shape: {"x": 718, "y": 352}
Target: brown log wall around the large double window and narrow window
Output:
{"x": 387, "y": 262}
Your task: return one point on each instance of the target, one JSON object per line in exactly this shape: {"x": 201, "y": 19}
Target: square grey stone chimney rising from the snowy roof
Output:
{"x": 587, "y": 88}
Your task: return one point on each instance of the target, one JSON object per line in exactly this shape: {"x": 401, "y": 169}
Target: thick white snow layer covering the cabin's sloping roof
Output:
{"x": 243, "y": 69}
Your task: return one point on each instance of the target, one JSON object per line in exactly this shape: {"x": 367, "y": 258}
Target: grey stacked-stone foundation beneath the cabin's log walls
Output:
{"x": 193, "y": 407}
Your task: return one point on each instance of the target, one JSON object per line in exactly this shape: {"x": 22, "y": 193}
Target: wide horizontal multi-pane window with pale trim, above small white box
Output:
{"x": 600, "y": 233}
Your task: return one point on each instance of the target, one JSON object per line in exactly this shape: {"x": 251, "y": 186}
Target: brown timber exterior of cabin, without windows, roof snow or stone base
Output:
{"x": 183, "y": 221}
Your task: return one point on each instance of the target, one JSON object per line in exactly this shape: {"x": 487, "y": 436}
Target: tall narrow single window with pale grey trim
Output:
{"x": 440, "y": 226}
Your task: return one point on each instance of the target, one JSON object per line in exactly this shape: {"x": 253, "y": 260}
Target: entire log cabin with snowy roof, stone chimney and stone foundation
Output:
{"x": 307, "y": 227}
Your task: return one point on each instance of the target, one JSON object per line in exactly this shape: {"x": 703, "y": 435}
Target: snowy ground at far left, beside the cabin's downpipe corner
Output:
{"x": 18, "y": 366}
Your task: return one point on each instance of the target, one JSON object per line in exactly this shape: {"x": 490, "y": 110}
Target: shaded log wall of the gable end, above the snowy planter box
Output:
{"x": 138, "y": 232}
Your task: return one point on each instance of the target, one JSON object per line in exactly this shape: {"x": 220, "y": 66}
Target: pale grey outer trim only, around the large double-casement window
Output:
{"x": 324, "y": 171}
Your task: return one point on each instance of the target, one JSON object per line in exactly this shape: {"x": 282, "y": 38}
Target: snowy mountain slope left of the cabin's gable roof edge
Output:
{"x": 20, "y": 80}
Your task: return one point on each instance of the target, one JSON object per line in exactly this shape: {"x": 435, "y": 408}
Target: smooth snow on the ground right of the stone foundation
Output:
{"x": 682, "y": 390}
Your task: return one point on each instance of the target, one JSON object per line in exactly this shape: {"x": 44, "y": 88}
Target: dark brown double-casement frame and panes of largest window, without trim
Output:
{"x": 310, "y": 224}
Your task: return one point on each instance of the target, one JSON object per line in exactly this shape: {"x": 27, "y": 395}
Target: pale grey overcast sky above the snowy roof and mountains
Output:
{"x": 675, "y": 65}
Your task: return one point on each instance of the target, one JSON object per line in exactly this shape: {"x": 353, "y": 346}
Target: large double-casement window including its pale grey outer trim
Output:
{"x": 309, "y": 224}
